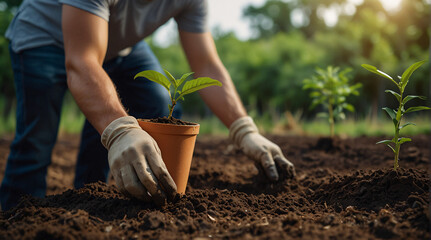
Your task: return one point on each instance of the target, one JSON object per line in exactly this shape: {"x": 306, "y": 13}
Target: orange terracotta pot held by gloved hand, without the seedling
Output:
{"x": 177, "y": 143}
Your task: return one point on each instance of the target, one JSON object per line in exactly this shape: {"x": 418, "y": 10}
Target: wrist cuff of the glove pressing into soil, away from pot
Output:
{"x": 241, "y": 127}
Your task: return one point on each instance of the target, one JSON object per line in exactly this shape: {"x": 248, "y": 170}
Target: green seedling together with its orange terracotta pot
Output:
{"x": 176, "y": 142}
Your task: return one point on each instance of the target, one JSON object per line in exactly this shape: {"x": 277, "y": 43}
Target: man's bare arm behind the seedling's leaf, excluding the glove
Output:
{"x": 202, "y": 56}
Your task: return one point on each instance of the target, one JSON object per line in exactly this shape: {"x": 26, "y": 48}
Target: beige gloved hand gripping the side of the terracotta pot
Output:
{"x": 136, "y": 162}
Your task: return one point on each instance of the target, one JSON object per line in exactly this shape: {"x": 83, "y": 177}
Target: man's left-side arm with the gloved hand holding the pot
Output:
{"x": 133, "y": 155}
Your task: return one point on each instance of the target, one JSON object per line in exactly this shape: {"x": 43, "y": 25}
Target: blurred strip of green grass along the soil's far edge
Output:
{"x": 72, "y": 121}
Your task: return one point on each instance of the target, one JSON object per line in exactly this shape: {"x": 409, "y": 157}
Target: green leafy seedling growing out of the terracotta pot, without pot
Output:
{"x": 177, "y": 88}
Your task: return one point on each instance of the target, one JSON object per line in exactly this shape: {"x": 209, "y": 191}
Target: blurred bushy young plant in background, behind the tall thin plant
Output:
{"x": 331, "y": 88}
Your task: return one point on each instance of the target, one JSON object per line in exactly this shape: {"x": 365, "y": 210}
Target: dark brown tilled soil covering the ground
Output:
{"x": 344, "y": 189}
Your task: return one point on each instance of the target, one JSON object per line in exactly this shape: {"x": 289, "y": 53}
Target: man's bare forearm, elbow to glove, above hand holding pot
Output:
{"x": 94, "y": 93}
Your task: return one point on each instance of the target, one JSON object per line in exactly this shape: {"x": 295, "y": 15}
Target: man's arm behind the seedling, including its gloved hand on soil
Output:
{"x": 226, "y": 104}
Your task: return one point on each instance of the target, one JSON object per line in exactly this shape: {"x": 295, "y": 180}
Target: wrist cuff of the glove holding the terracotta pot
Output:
{"x": 116, "y": 128}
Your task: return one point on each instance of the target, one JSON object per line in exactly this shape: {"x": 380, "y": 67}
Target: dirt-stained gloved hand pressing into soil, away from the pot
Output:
{"x": 245, "y": 136}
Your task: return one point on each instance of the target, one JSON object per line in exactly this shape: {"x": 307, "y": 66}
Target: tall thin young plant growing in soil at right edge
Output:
{"x": 396, "y": 114}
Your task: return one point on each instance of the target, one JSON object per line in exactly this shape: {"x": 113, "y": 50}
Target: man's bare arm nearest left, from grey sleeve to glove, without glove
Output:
{"x": 85, "y": 42}
